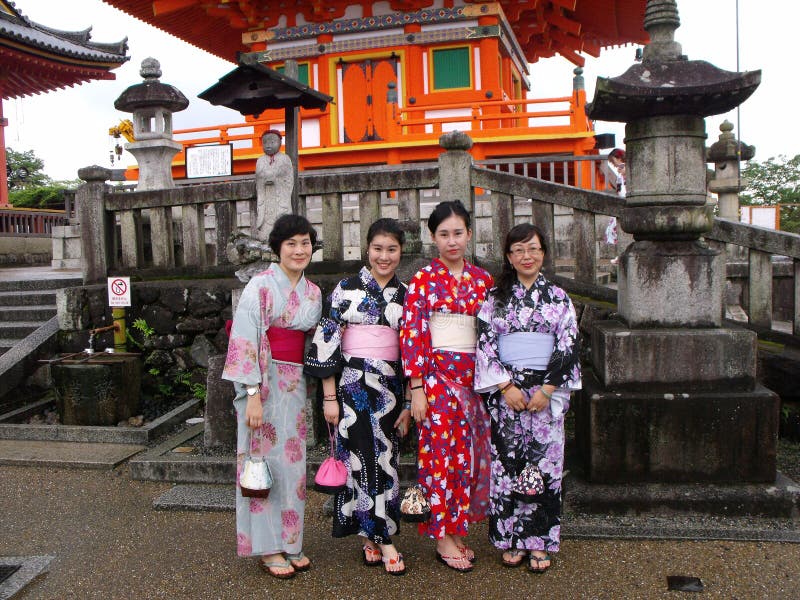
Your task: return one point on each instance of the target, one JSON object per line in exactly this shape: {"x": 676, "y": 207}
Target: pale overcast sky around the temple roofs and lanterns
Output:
{"x": 68, "y": 128}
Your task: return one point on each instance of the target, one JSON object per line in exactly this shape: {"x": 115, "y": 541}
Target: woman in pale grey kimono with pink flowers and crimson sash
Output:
{"x": 277, "y": 309}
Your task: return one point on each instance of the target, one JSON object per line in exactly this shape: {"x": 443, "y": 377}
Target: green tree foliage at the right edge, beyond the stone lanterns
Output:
{"x": 776, "y": 181}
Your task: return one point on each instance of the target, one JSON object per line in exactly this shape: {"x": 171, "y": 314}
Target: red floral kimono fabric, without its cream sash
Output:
{"x": 454, "y": 457}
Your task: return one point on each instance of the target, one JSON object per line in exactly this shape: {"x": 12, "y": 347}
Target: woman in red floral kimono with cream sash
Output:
{"x": 437, "y": 341}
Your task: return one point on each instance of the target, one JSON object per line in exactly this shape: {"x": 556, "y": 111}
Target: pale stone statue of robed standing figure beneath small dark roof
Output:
{"x": 274, "y": 183}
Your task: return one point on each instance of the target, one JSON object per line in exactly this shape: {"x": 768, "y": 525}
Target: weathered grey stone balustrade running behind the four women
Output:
{"x": 157, "y": 232}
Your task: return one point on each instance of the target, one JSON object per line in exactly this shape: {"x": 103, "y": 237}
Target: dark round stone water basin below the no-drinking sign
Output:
{"x": 96, "y": 389}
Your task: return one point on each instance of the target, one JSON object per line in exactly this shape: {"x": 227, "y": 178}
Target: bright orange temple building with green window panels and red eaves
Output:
{"x": 401, "y": 72}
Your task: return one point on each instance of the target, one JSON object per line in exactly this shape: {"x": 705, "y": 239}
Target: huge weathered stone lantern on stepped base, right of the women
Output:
{"x": 672, "y": 396}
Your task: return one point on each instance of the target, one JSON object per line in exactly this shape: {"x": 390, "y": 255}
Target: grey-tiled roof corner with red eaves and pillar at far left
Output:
{"x": 35, "y": 59}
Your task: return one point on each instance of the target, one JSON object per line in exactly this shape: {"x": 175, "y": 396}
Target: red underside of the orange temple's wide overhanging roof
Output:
{"x": 542, "y": 27}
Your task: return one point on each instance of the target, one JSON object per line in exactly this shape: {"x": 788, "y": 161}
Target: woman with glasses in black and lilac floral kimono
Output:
{"x": 527, "y": 363}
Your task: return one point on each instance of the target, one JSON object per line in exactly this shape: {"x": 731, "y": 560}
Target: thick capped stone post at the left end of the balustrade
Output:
{"x": 95, "y": 229}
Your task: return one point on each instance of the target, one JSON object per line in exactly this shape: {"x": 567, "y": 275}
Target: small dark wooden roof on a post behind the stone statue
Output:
{"x": 251, "y": 88}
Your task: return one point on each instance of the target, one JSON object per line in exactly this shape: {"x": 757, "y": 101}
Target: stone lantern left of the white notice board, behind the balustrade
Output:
{"x": 152, "y": 104}
